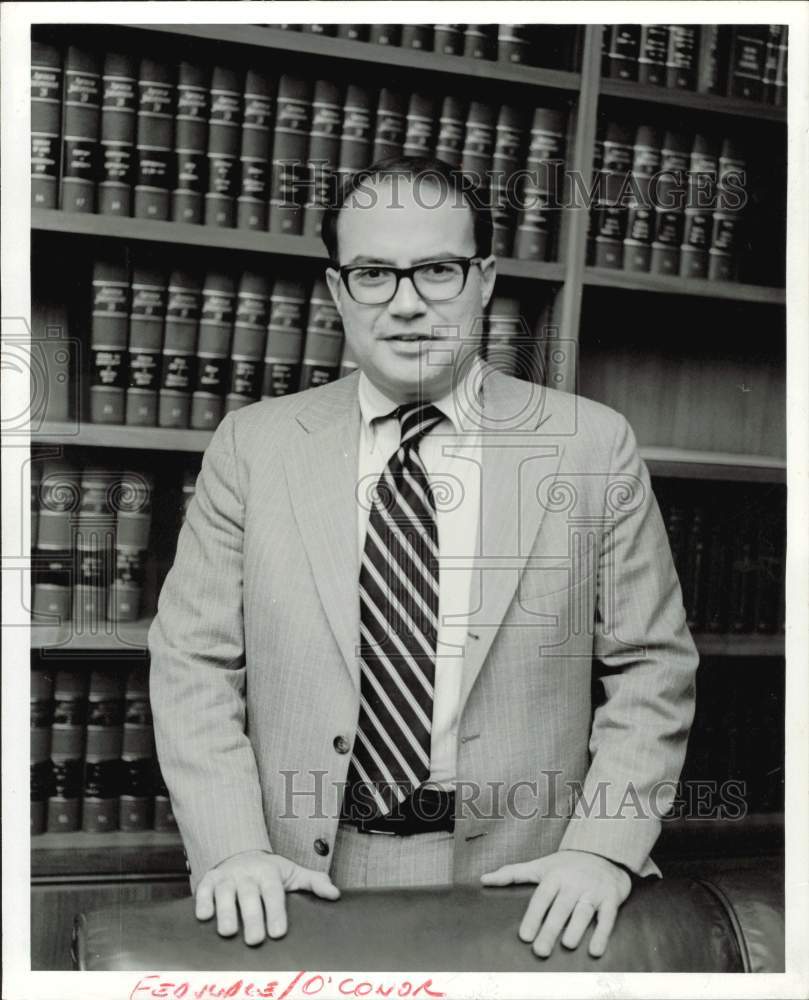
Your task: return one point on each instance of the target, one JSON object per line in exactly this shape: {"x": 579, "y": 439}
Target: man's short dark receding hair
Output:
{"x": 428, "y": 170}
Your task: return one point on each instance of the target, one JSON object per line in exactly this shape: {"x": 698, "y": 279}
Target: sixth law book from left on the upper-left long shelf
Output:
{"x": 224, "y": 141}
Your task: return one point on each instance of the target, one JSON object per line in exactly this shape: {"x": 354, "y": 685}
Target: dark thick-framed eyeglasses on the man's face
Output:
{"x": 434, "y": 280}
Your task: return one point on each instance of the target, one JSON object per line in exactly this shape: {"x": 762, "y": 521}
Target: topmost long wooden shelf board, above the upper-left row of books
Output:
{"x": 372, "y": 54}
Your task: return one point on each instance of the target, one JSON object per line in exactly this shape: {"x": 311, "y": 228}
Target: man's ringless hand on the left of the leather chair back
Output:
{"x": 258, "y": 882}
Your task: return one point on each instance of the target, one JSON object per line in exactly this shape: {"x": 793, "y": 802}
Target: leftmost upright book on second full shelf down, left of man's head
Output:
{"x": 108, "y": 341}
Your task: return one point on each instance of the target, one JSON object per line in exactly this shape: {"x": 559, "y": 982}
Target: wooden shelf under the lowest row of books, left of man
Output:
{"x": 71, "y": 855}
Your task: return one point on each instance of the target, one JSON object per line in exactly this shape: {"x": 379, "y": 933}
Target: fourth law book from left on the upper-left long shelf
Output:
{"x": 155, "y": 139}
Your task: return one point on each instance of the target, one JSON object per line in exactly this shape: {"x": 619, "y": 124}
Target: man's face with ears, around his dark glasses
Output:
{"x": 391, "y": 222}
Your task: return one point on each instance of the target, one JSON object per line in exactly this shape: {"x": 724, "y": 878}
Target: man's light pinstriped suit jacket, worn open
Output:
{"x": 255, "y": 670}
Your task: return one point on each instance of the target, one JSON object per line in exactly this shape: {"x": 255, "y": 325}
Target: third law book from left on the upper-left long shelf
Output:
{"x": 119, "y": 108}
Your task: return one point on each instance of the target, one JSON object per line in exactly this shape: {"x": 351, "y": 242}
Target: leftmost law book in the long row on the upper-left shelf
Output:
{"x": 46, "y": 123}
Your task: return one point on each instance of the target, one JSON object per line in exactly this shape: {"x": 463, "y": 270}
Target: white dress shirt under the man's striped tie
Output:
{"x": 450, "y": 454}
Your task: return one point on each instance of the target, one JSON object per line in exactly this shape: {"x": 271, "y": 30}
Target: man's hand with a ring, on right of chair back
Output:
{"x": 574, "y": 886}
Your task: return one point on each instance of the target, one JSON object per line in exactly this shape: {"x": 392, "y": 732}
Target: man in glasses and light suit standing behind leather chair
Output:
{"x": 372, "y": 657}
